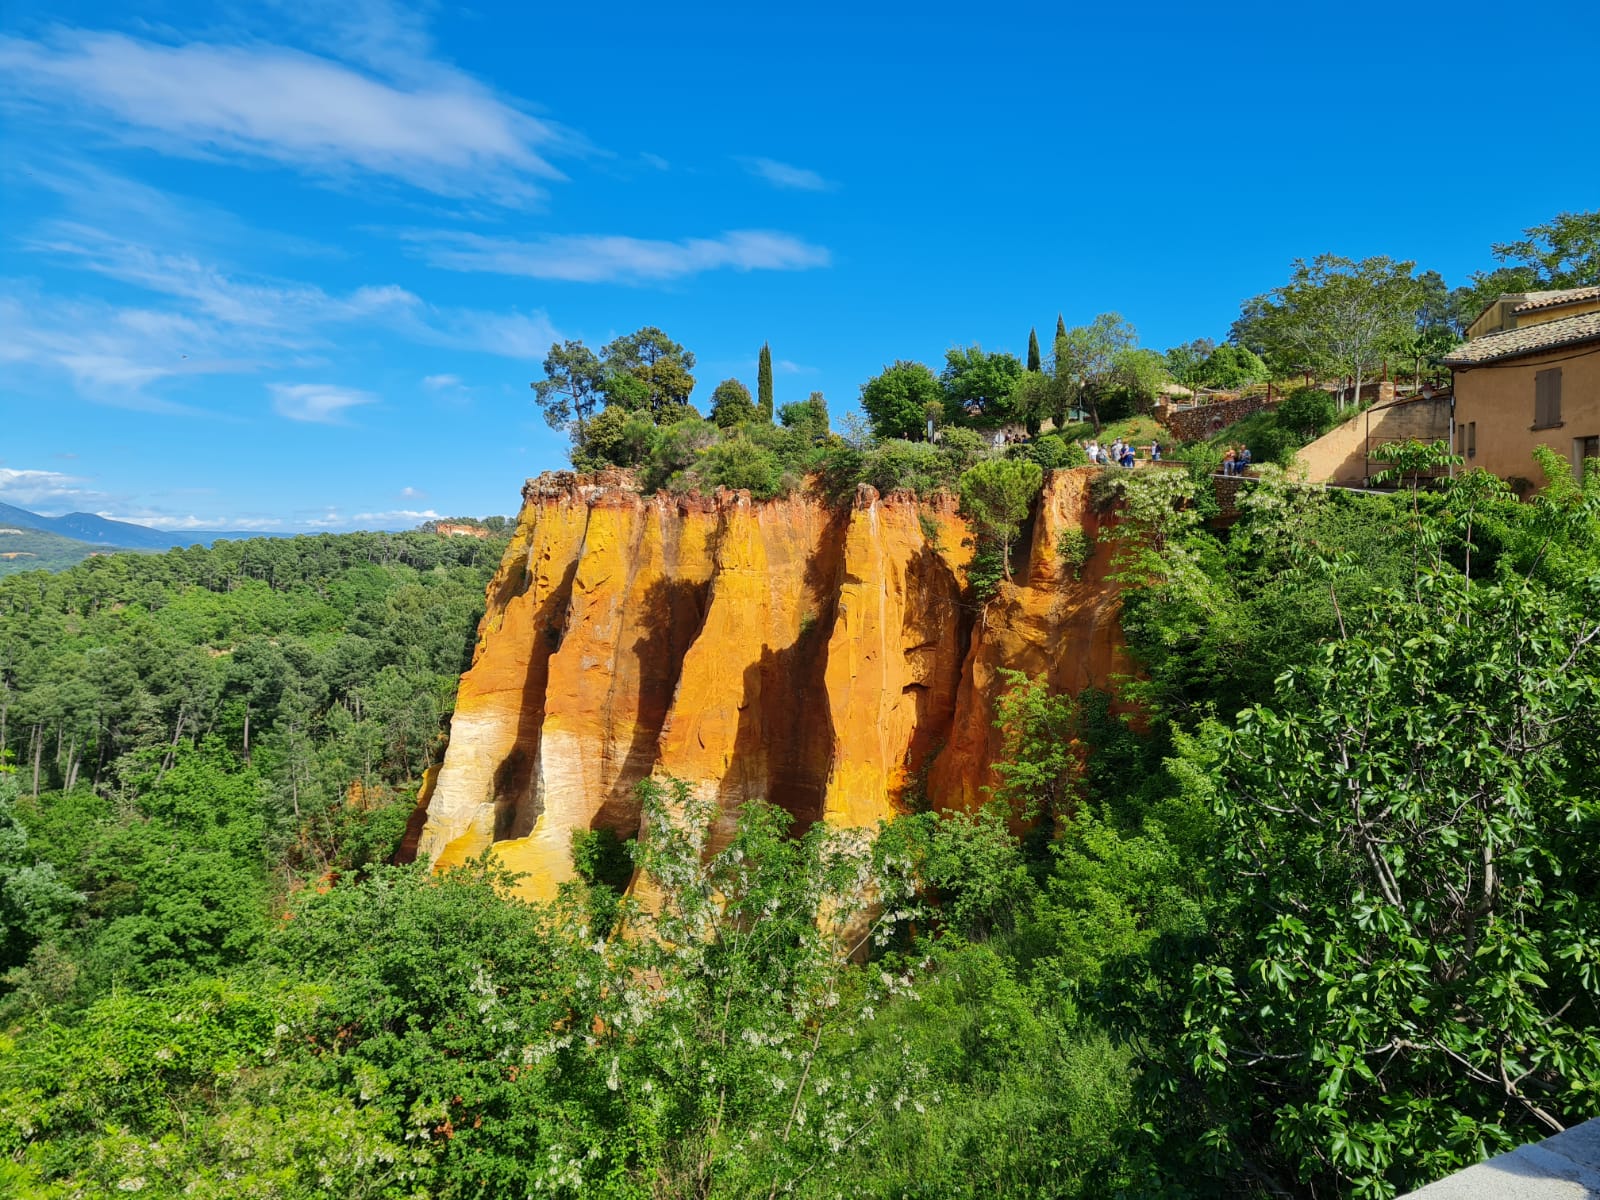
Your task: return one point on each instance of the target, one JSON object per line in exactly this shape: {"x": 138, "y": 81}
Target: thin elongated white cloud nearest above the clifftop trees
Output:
{"x": 598, "y": 258}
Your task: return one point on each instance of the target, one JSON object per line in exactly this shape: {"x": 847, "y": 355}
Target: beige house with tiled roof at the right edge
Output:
{"x": 1529, "y": 375}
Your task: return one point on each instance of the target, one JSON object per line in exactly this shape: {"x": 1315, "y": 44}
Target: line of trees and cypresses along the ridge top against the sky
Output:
{"x": 1334, "y": 319}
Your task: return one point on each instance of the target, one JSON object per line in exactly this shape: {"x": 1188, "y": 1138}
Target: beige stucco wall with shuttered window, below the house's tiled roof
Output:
{"x": 1500, "y": 399}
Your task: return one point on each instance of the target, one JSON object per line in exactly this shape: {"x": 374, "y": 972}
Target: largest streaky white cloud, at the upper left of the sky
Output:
{"x": 420, "y": 122}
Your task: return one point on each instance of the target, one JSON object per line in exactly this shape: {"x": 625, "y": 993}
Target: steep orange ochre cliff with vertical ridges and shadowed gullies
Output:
{"x": 815, "y": 657}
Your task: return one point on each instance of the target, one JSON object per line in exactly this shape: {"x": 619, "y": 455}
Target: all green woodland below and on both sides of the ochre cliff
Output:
{"x": 1318, "y": 922}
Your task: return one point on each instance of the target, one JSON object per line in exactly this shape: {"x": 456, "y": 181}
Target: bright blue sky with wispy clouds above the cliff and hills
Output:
{"x": 294, "y": 266}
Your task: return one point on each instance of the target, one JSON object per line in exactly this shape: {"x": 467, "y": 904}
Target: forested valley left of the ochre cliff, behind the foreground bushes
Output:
{"x": 196, "y": 730}
